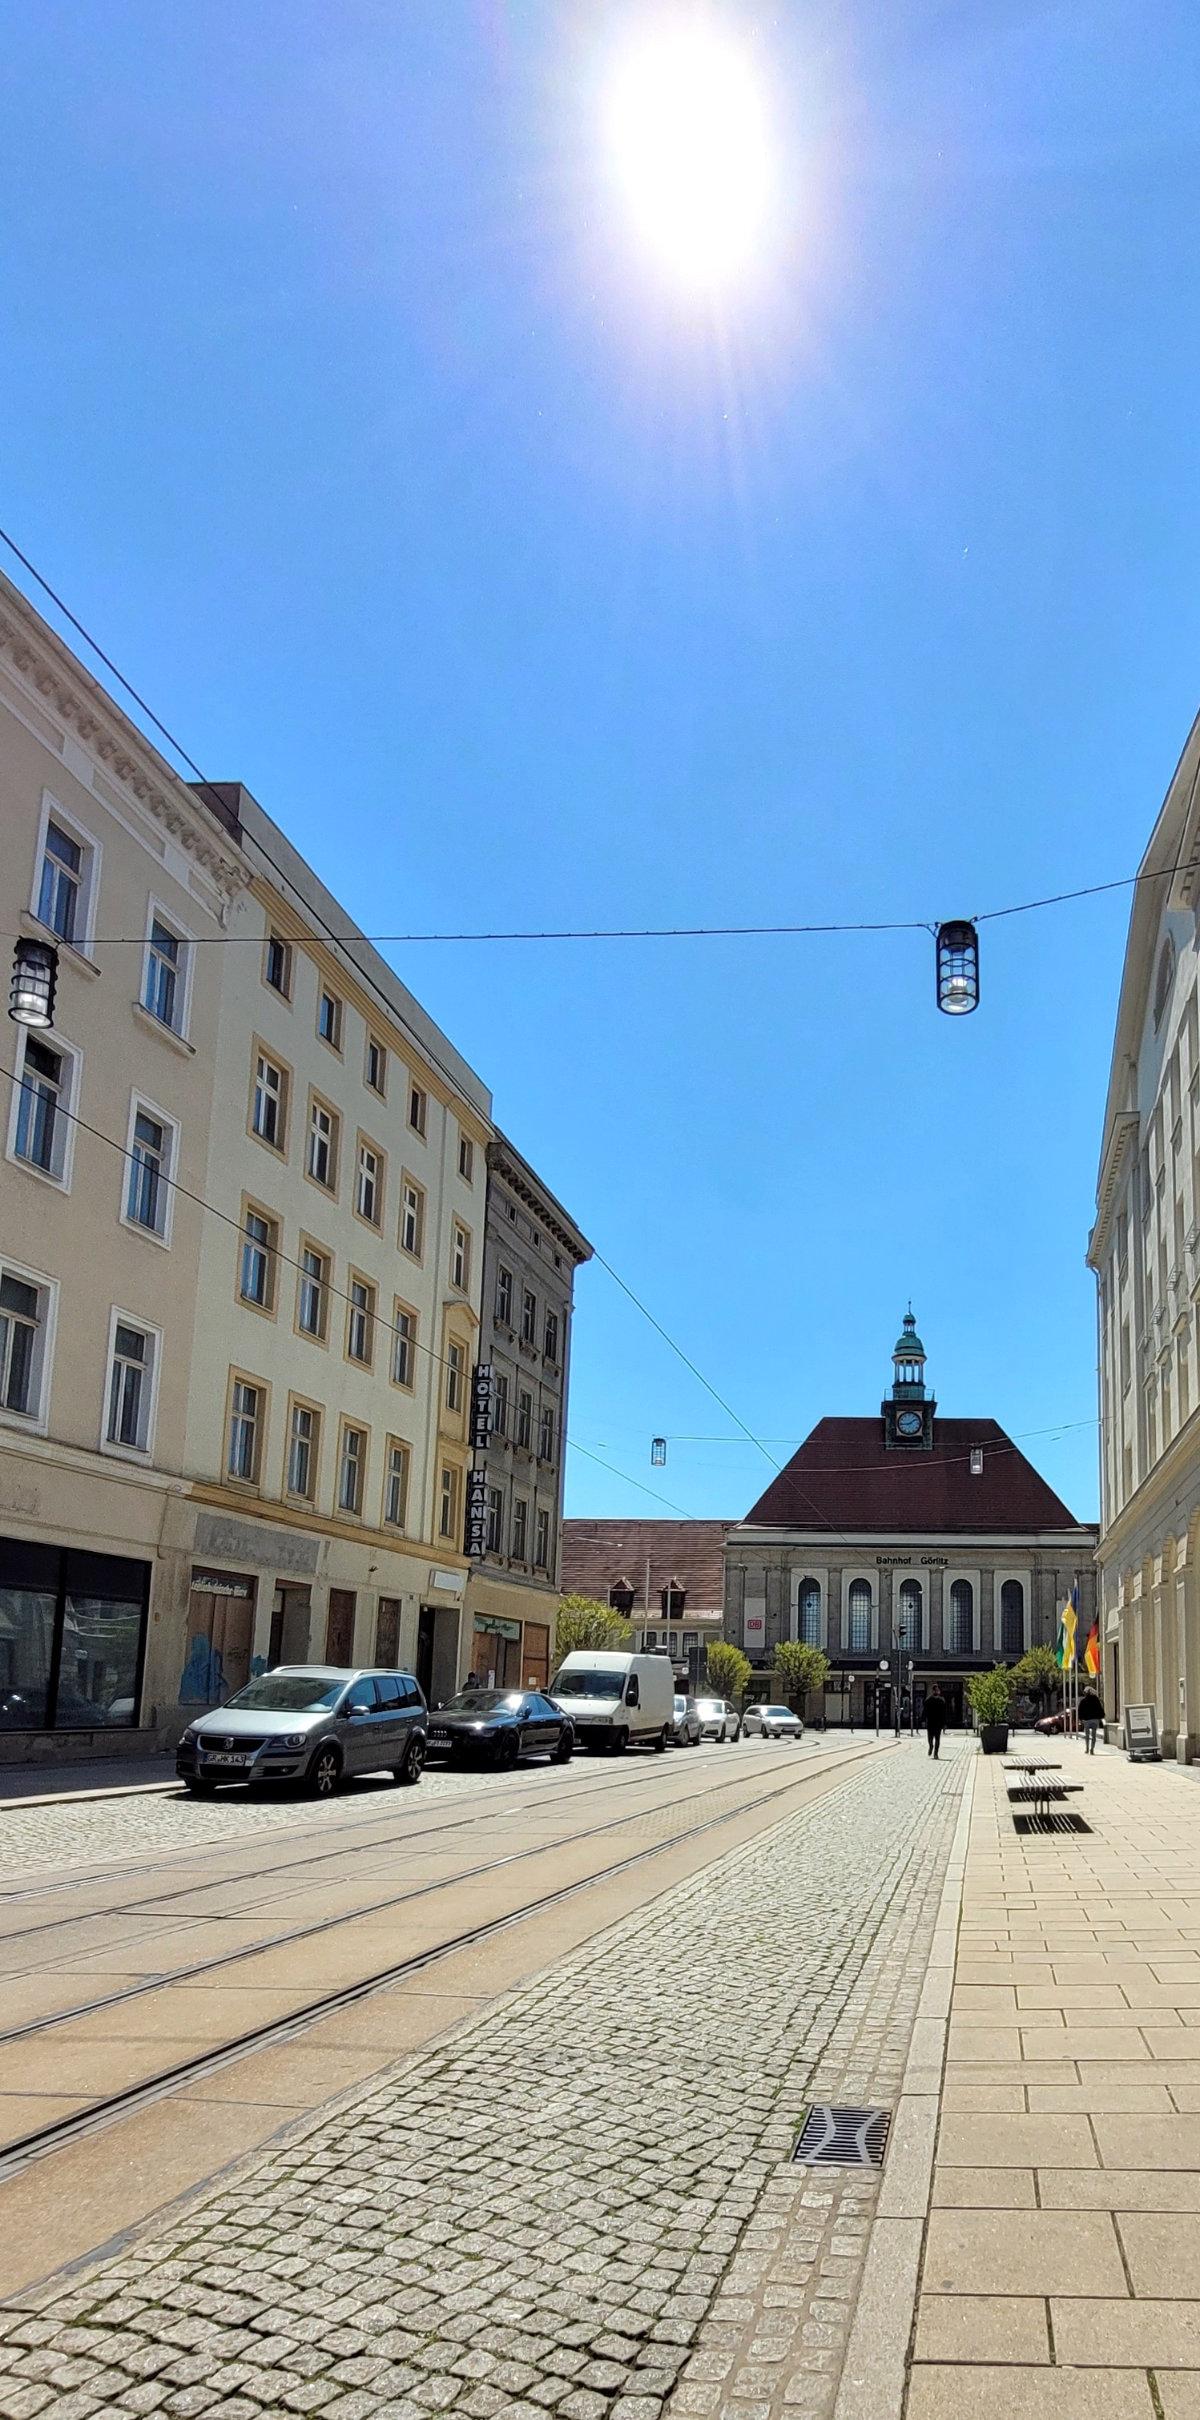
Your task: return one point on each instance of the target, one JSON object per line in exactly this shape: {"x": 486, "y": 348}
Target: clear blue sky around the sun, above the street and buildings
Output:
{"x": 340, "y": 401}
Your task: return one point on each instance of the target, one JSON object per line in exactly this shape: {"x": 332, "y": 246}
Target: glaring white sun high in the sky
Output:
{"x": 691, "y": 146}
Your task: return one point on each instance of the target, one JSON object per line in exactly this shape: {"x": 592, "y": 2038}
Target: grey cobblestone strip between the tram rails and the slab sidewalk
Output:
{"x": 577, "y": 2203}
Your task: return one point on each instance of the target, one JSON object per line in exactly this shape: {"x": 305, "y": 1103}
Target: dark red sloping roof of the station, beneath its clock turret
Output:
{"x": 848, "y": 1480}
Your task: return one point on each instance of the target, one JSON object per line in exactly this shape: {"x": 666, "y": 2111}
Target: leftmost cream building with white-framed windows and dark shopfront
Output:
{"x": 100, "y": 1257}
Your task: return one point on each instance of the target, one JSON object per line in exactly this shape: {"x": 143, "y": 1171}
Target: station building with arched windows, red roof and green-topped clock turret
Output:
{"x": 908, "y": 1548}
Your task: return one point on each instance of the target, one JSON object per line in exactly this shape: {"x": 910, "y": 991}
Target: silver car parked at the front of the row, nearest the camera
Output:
{"x": 308, "y": 1724}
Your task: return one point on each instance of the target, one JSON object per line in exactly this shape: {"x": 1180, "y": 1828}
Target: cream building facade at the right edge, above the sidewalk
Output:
{"x": 1146, "y": 1250}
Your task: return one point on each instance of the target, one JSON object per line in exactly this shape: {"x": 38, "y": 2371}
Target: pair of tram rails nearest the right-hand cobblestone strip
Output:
{"x": 284, "y": 2029}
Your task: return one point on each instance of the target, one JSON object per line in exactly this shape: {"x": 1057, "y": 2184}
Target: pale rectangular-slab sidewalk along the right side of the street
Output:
{"x": 1061, "y": 2269}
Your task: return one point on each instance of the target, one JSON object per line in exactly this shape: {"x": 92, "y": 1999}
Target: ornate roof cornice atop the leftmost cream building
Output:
{"x": 54, "y": 674}
